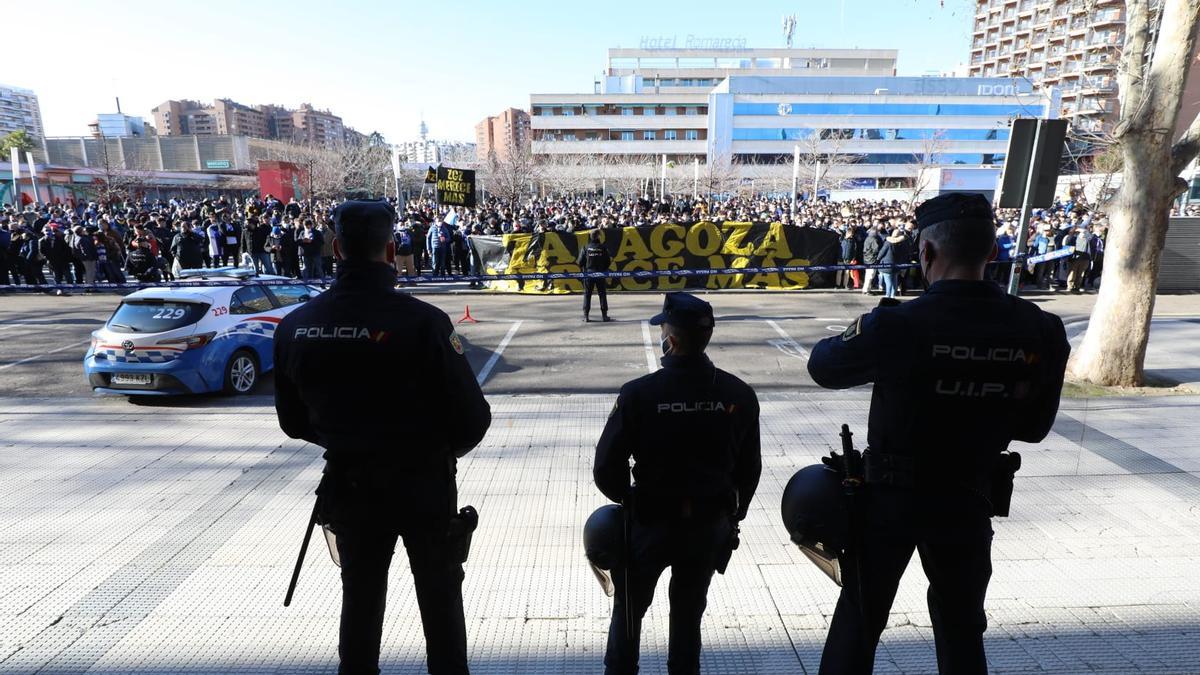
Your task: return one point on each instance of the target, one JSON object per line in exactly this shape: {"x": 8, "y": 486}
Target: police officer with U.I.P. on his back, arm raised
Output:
{"x": 958, "y": 374}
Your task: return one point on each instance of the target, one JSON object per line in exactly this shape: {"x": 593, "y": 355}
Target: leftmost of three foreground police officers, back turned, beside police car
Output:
{"x": 345, "y": 377}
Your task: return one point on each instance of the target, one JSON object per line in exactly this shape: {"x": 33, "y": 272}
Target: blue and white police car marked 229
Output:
{"x": 193, "y": 341}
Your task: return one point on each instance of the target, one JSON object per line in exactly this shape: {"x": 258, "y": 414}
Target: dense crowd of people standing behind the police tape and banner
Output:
{"x": 148, "y": 242}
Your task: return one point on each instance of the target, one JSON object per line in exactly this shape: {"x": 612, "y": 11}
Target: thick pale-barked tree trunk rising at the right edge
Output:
{"x": 1154, "y": 69}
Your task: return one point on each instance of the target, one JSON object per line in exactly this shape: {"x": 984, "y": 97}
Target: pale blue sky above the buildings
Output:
{"x": 381, "y": 65}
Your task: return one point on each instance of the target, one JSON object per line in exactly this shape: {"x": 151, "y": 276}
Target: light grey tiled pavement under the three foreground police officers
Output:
{"x": 136, "y": 541}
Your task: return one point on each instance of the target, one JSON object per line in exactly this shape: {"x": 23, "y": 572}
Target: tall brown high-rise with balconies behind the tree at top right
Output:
{"x": 1073, "y": 46}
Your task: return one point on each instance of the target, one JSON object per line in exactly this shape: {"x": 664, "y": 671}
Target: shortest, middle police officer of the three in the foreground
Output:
{"x": 693, "y": 432}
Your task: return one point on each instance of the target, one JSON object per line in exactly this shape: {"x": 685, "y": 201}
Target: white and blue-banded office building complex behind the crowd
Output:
{"x": 868, "y": 133}
